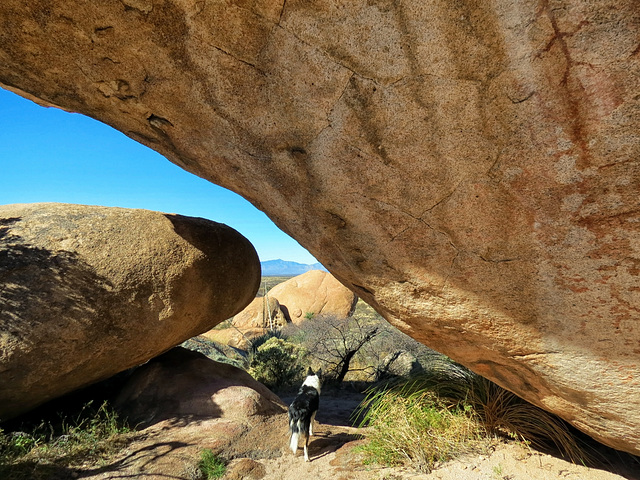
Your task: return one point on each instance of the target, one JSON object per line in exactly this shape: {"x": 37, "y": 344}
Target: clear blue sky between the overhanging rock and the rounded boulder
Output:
{"x": 48, "y": 155}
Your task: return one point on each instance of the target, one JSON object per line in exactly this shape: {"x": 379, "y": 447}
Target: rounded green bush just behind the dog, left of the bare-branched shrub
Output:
{"x": 277, "y": 363}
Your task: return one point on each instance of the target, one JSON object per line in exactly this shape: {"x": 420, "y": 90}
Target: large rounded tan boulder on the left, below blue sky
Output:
{"x": 87, "y": 292}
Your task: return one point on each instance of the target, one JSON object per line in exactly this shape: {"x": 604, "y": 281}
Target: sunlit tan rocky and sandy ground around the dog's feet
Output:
{"x": 170, "y": 450}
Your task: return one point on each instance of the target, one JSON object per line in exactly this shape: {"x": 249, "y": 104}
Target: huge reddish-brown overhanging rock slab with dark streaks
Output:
{"x": 469, "y": 168}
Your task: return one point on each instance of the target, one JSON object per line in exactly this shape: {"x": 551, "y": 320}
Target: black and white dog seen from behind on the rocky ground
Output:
{"x": 302, "y": 411}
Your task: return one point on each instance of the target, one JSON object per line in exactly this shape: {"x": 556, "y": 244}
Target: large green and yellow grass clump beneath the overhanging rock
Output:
{"x": 446, "y": 411}
